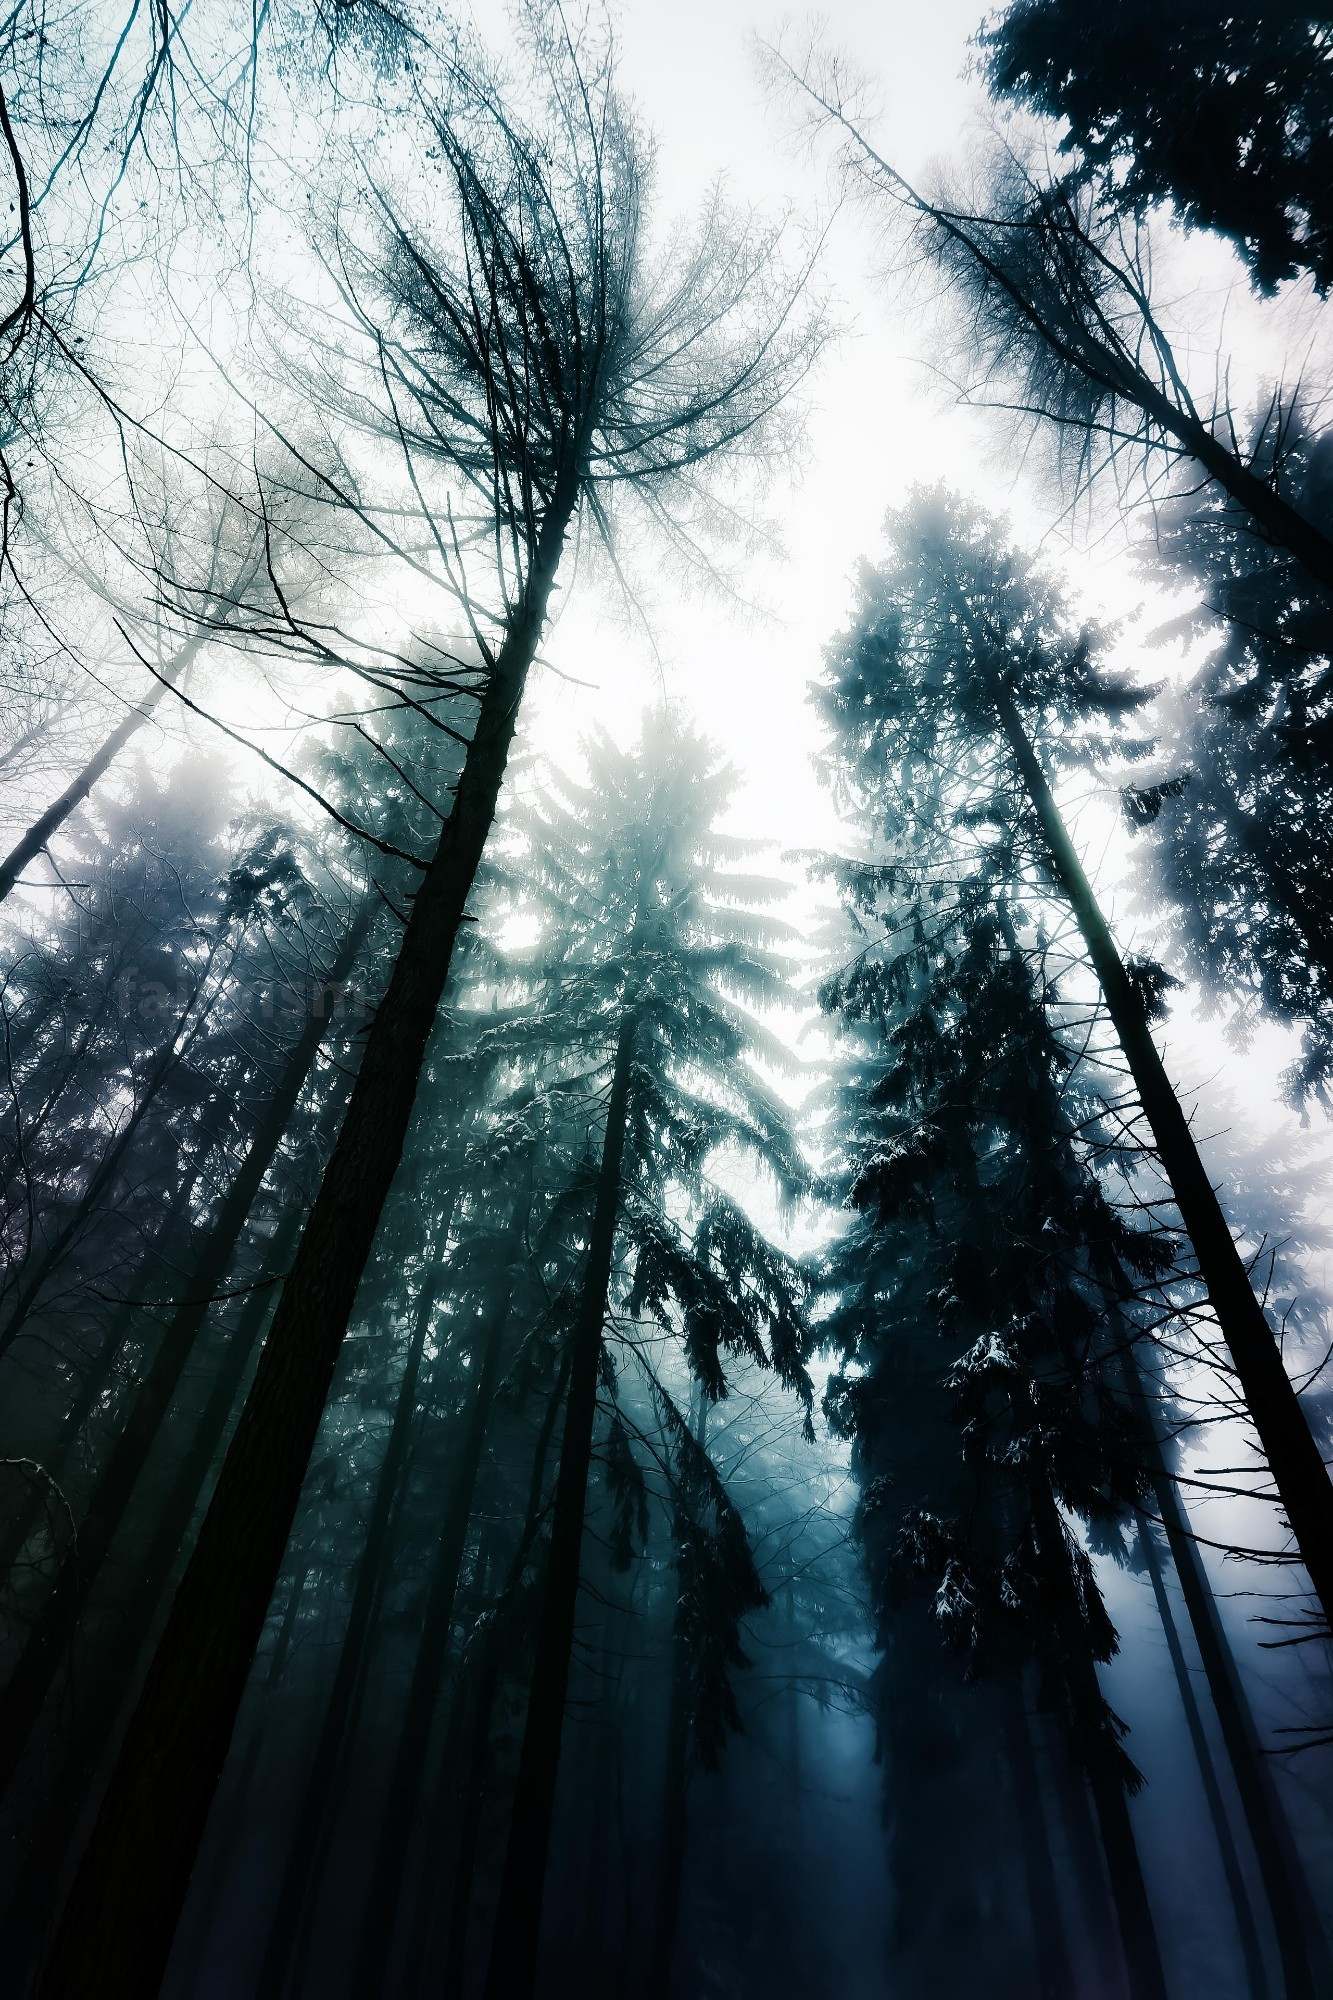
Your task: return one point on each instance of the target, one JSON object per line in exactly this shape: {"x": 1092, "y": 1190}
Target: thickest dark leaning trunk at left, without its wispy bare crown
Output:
{"x": 127, "y": 1897}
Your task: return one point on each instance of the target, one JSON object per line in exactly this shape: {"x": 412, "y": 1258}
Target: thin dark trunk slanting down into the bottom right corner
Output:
{"x": 1308, "y": 1967}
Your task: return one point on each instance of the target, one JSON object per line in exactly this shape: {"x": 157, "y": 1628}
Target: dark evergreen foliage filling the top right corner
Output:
{"x": 1224, "y": 111}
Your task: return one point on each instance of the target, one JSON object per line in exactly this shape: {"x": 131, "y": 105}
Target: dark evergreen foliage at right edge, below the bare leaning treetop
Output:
{"x": 1236, "y": 821}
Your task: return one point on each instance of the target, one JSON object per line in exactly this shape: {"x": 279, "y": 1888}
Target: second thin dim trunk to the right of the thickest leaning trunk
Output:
{"x": 399, "y": 1813}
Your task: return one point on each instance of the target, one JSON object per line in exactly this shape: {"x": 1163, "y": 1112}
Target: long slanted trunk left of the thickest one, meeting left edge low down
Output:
{"x": 47, "y": 1643}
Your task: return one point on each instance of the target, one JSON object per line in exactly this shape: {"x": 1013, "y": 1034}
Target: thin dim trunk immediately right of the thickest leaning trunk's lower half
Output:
{"x": 317, "y": 1799}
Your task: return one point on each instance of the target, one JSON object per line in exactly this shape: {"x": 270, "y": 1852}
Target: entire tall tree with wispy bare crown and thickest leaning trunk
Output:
{"x": 541, "y": 355}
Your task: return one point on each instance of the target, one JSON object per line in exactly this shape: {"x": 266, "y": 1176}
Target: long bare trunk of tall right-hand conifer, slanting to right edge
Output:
{"x": 1288, "y": 1443}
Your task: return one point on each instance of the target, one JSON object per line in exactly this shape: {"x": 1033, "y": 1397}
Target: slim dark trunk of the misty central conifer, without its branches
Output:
{"x": 519, "y": 1911}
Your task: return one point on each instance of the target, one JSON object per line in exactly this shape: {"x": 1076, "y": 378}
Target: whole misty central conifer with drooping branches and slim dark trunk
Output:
{"x": 661, "y": 951}
